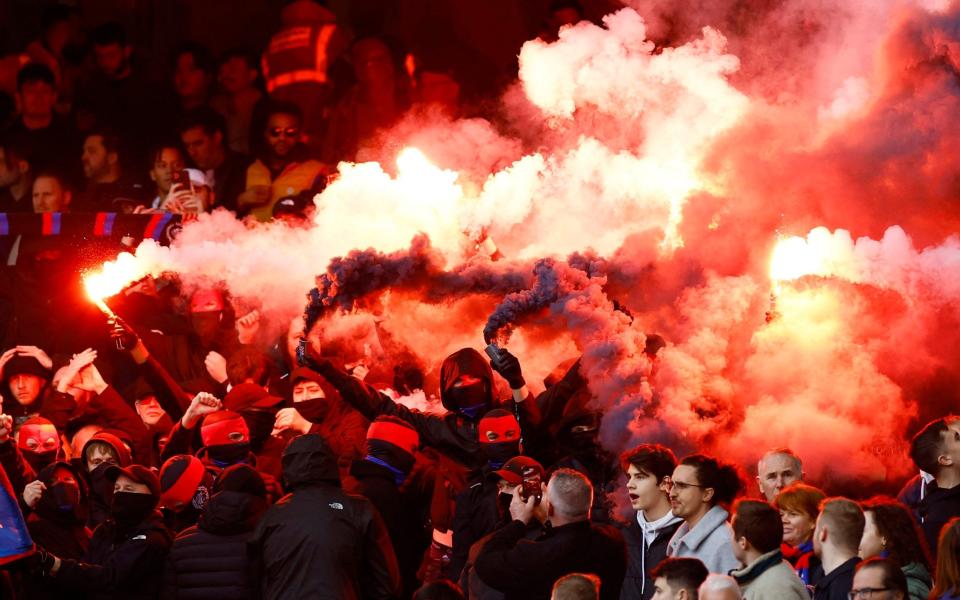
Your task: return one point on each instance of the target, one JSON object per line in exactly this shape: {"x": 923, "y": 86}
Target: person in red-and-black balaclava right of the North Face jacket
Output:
{"x": 381, "y": 477}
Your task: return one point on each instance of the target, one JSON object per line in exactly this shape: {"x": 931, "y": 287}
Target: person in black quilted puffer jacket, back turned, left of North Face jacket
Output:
{"x": 210, "y": 559}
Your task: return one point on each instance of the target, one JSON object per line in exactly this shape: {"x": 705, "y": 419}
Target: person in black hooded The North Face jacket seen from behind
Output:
{"x": 318, "y": 541}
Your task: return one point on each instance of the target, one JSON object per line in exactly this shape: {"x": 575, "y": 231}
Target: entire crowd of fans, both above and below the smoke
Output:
{"x": 185, "y": 454}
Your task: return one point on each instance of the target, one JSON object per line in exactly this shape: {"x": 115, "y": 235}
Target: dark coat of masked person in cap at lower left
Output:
{"x": 120, "y": 563}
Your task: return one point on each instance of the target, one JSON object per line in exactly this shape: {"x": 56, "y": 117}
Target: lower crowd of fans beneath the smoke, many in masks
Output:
{"x": 214, "y": 463}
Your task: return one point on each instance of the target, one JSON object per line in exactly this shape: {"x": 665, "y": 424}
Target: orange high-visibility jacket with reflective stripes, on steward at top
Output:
{"x": 298, "y": 54}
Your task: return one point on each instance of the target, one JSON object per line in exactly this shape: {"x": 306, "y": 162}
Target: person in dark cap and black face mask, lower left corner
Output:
{"x": 126, "y": 554}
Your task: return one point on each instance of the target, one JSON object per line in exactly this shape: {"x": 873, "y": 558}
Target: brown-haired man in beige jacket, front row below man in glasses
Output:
{"x": 758, "y": 533}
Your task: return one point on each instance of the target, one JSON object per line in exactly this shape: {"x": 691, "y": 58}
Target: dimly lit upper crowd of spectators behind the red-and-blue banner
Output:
{"x": 98, "y": 130}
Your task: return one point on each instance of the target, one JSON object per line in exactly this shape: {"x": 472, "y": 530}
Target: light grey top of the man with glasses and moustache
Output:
{"x": 710, "y": 541}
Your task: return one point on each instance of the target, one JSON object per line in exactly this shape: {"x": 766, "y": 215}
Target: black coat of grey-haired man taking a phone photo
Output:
{"x": 528, "y": 569}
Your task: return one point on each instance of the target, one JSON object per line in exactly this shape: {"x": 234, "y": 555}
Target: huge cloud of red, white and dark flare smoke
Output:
{"x": 772, "y": 188}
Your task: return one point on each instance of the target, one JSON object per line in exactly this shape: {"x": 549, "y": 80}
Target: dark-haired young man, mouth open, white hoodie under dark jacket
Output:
{"x": 648, "y": 468}
